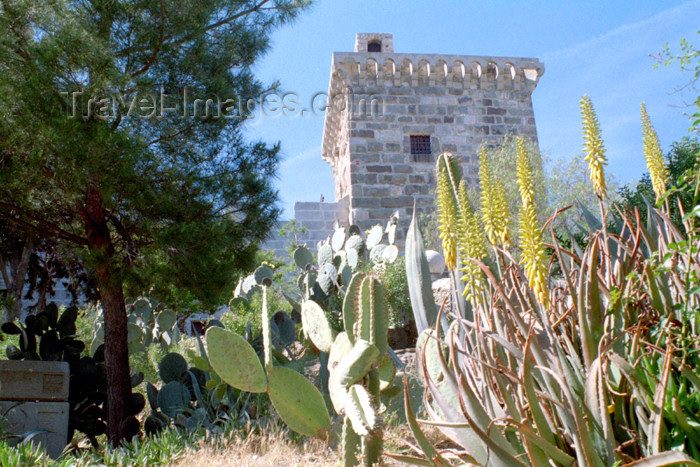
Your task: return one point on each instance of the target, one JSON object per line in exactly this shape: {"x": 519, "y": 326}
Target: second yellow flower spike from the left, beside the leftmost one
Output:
{"x": 471, "y": 241}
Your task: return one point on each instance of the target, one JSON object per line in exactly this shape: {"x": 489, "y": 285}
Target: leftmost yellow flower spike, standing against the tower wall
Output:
{"x": 448, "y": 173}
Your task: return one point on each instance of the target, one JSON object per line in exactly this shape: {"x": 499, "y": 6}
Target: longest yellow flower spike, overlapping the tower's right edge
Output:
{"x": 534, "y": 255}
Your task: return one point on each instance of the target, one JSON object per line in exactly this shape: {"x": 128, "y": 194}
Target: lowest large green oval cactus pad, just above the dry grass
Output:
{"x": 299, "y": 403}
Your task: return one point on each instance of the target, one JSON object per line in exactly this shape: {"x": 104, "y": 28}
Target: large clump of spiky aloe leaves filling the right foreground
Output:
{"x": 600, "y": 368}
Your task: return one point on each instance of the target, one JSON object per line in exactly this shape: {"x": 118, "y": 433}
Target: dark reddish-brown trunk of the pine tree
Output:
{"x": 109, "y": 285}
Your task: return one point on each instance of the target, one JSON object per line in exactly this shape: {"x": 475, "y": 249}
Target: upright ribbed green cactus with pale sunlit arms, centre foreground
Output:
{"x": 358, "y": 365}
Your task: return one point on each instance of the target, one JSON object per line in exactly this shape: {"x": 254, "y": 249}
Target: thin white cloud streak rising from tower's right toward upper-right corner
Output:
{"x": 686, "y": 10}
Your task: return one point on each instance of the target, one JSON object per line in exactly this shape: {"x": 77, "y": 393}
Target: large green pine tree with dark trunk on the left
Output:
{"x": 91, "y": 157}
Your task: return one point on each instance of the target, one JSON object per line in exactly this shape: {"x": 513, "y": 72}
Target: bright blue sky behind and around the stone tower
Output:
{"x": 599, "y": 48}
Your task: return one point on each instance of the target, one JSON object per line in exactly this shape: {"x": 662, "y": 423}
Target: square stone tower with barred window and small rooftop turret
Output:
{"x": 390, "y": 114}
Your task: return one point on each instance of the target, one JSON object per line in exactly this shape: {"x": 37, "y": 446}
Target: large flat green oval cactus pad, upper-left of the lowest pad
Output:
{"x": 235, "y": 361}
